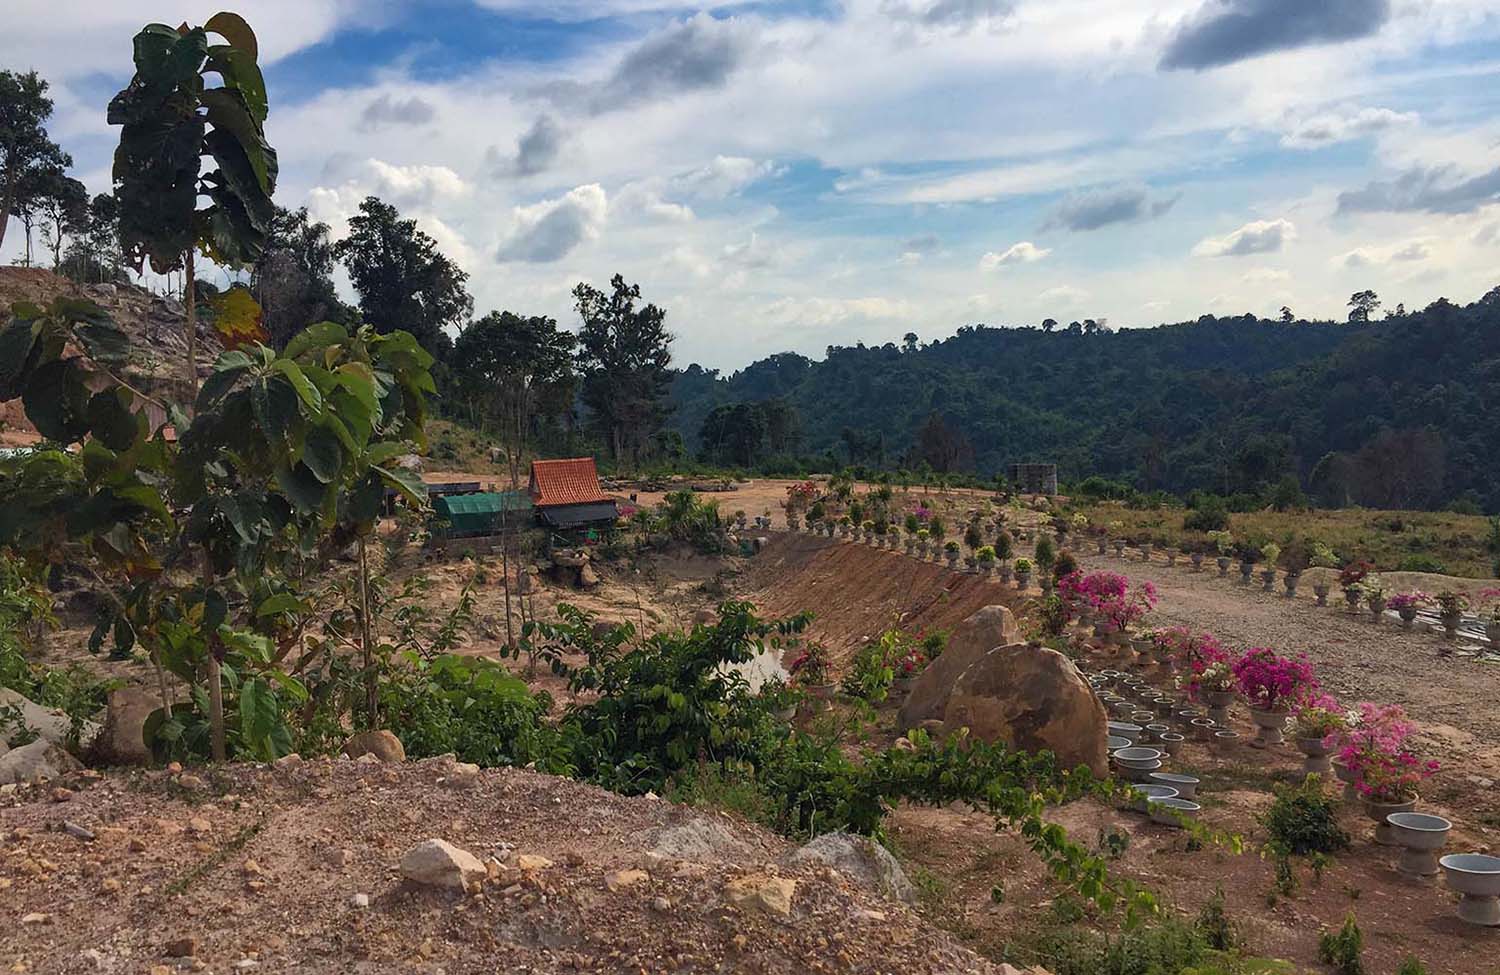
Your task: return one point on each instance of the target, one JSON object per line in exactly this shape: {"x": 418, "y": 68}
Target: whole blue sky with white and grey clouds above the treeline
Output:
{"x": 787, "y": 176}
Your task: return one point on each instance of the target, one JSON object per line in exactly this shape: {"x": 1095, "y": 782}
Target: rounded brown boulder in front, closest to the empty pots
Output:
{"x": 1034, "y": 700}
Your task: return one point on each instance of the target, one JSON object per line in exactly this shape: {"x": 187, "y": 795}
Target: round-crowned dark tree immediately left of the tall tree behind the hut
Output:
{"x": 517, "y": 368}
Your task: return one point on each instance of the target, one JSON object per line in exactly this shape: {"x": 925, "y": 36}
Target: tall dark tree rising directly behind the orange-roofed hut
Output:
{"x": 625, "y": 353}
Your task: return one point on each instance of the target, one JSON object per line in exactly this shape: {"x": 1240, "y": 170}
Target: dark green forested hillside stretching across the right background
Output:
{"x": 1391, "y": 413}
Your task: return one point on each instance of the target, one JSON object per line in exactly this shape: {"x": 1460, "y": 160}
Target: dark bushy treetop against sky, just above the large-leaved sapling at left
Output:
{"x": 403, "y": 280}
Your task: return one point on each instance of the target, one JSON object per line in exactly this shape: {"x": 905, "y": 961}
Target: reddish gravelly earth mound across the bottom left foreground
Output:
{"x": 254, "y": 869}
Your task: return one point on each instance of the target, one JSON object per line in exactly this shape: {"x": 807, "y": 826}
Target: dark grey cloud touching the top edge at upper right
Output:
{"x": 1223, "y": 32}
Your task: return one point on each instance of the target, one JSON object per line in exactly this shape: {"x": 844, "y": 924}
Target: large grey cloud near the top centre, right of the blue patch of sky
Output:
{"x": 697, "y": 55}
